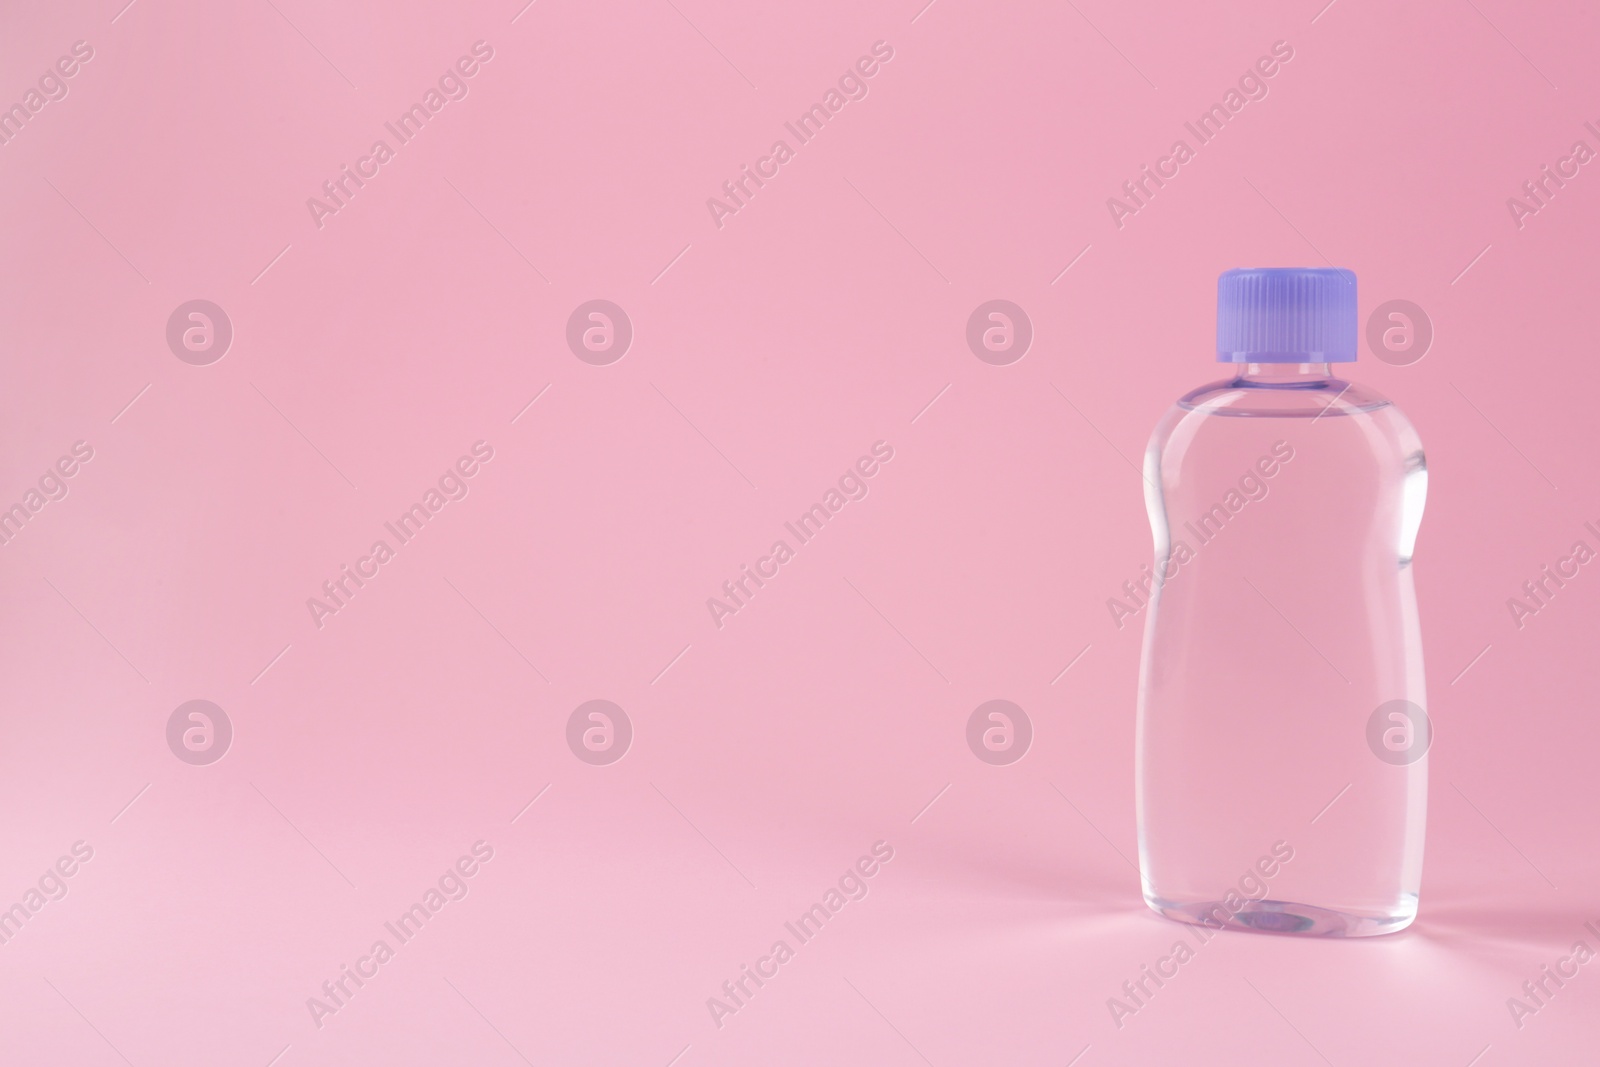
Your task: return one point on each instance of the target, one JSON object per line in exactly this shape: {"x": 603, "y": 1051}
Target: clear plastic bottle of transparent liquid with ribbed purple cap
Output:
{"x": 1282, "y": 738}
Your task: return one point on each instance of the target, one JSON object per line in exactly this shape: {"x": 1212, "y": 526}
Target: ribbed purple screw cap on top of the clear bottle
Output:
{"x": 1286, "y": 316}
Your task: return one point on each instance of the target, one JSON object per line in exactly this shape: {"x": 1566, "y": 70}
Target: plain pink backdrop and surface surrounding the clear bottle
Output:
{"x": 769, "y": 354}
